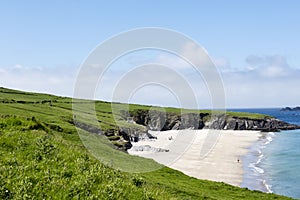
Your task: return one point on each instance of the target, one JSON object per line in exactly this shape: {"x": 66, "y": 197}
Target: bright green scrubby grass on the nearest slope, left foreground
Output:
{"x": 36, "y": 164}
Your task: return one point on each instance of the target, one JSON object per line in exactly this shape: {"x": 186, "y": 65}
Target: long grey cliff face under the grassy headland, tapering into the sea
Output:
{"x": 156, "y": 120}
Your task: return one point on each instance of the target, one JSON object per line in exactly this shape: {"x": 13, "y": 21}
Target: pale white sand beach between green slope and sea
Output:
{"x": 201, "y": 155}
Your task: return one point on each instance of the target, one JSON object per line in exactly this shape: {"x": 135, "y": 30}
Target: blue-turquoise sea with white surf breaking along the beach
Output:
{"x": 273, "y": 163}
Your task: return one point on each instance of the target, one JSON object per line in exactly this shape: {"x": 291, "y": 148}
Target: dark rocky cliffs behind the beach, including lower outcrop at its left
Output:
{"x": 160, "y": 121}
